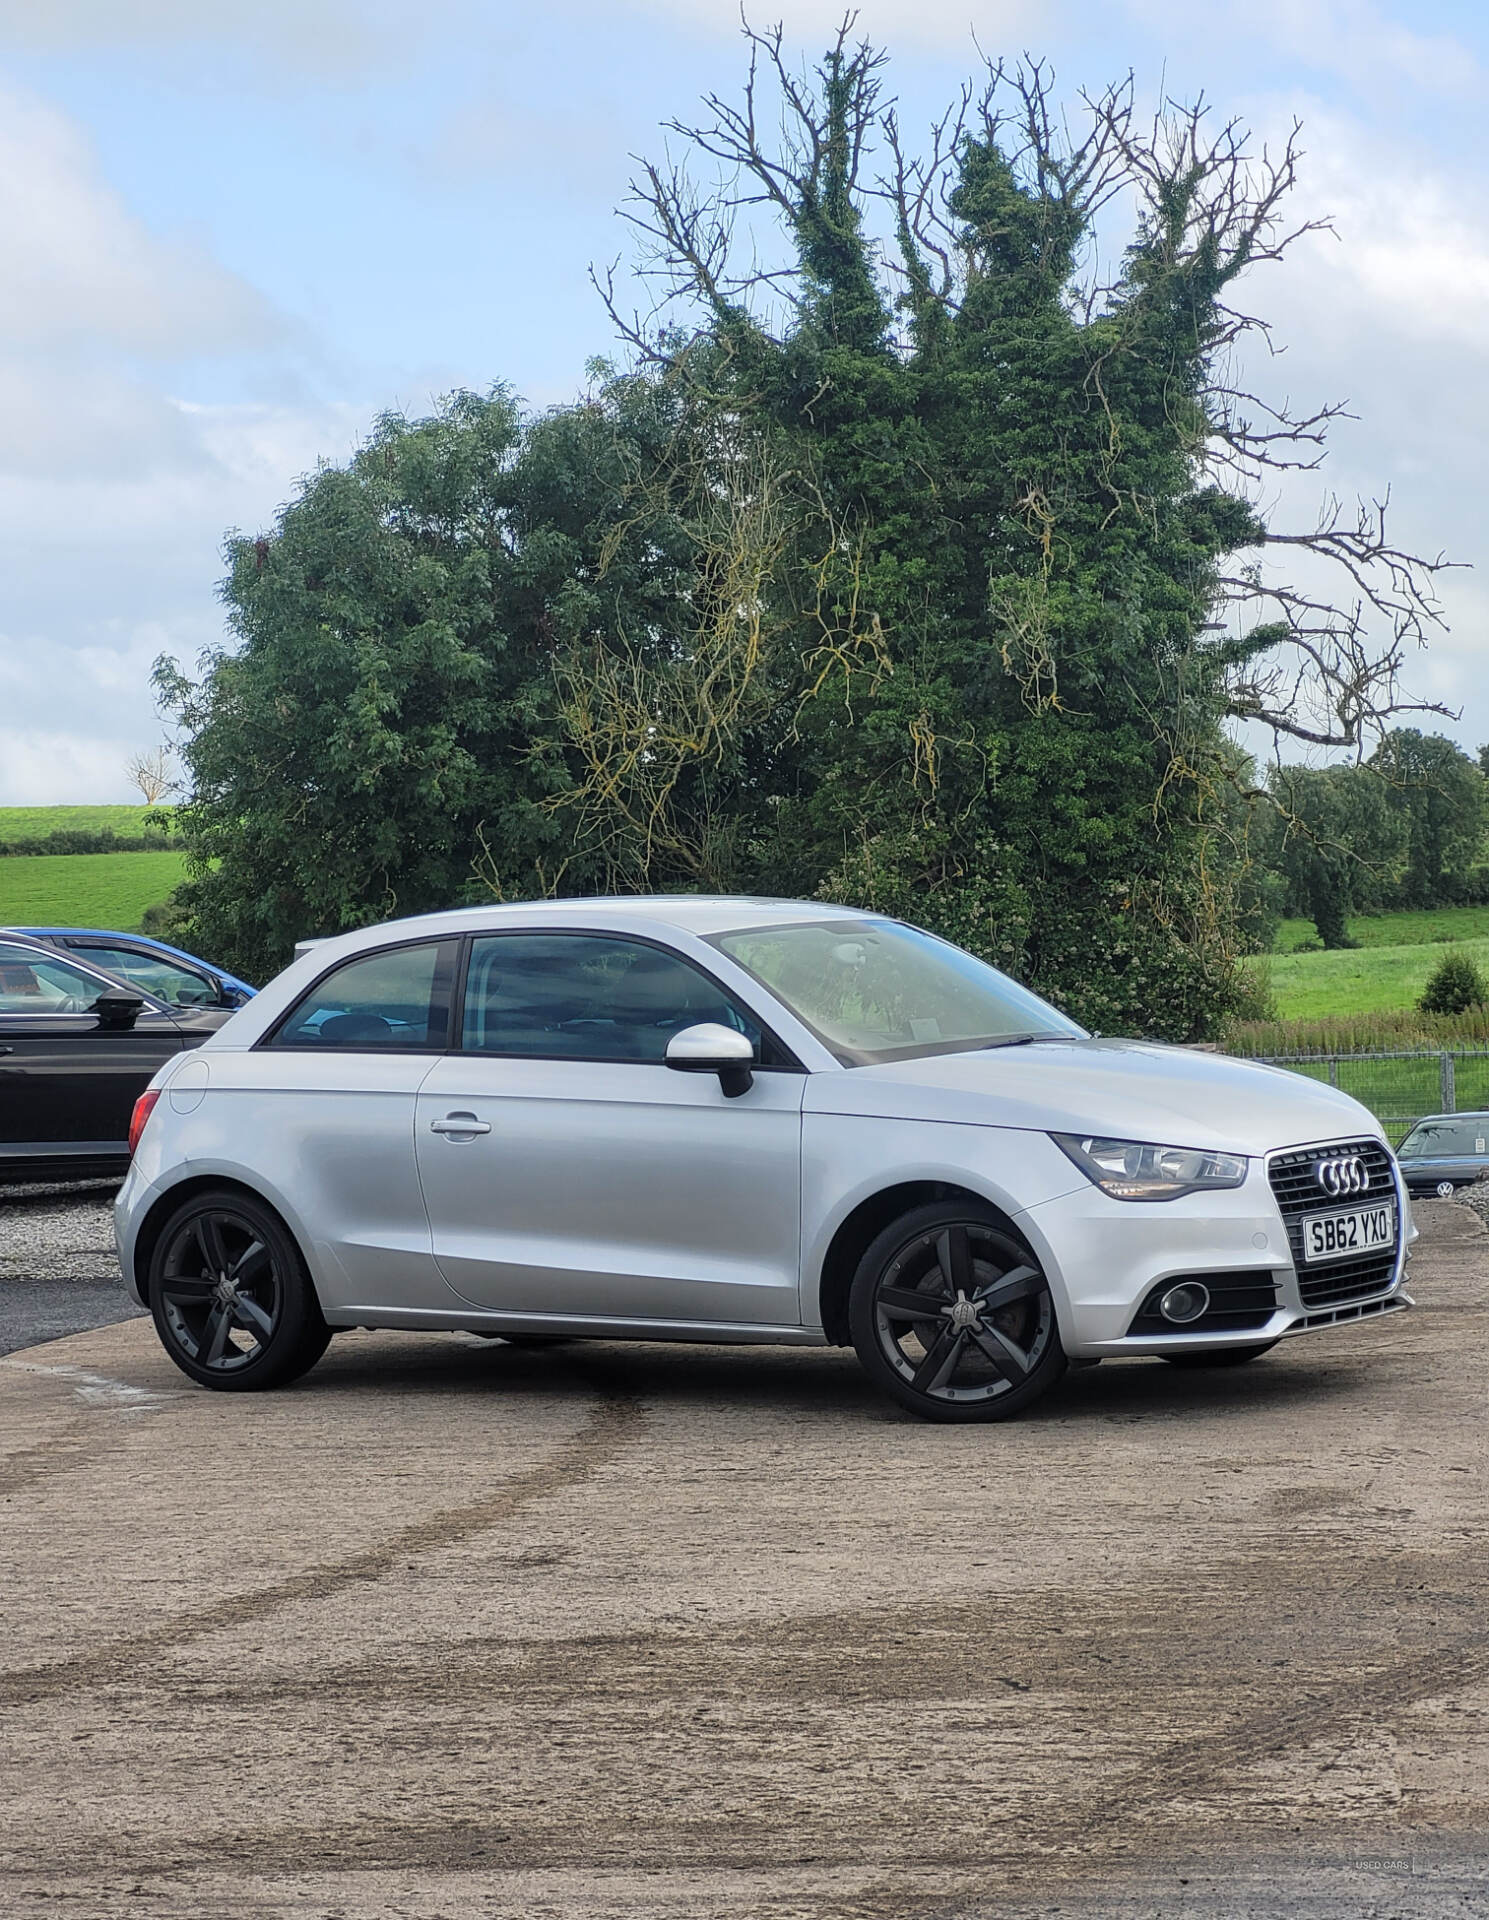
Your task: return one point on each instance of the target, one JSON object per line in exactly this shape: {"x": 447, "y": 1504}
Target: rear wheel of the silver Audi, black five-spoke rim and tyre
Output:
{"x": 231, "y": 1297}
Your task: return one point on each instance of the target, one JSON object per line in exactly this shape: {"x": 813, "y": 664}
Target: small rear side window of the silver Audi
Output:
{"x": 385, "y": 999}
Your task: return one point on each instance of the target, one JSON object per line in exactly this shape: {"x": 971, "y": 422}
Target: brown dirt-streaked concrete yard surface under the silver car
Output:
{"x": 456, "y": 1629}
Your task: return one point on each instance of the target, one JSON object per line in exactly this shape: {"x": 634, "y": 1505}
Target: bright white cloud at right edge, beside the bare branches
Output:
{"x": 1386, "y": 316}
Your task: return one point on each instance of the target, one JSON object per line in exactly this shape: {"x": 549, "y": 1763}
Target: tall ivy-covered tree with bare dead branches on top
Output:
{"x": 1049, "y": 487}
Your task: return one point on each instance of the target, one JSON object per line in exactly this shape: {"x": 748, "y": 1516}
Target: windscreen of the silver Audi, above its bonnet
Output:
{"x": 878, "y": 990}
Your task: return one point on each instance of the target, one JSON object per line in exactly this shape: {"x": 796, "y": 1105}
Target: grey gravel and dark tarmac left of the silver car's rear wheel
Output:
{"x": 59, "y": 1272}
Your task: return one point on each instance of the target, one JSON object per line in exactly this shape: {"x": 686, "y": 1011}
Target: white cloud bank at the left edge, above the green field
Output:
{"x": 114, "y": 492}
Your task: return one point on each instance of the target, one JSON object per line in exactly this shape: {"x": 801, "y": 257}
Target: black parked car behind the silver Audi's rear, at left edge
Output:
{"x": 78, "y": 1047}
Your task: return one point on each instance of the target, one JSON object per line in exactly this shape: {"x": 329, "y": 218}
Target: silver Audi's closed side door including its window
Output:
{"x": 569, "y": 1170}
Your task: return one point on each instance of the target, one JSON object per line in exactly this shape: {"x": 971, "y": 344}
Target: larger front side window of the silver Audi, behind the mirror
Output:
{"x": 586, "y": 997}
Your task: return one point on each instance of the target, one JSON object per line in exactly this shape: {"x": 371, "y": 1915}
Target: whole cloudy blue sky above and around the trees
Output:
{"x": 235, "y": 233}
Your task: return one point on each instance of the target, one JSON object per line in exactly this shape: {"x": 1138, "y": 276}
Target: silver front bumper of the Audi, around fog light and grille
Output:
{"x": 1106, "y": 1257}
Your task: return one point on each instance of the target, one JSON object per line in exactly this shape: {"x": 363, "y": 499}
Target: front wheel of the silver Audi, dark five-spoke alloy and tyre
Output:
{"x": 955, "y": 1318}
